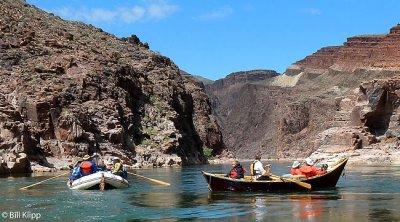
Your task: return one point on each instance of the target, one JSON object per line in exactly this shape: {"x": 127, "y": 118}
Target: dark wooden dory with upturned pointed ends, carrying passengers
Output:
{"x": 219, "y": 182}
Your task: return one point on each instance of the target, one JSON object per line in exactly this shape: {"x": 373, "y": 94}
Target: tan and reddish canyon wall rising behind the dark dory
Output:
{"x": 339, "y": 100}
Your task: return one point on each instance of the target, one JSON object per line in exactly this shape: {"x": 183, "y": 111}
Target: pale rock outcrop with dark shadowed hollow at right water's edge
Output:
{"x": 366, "y": 125}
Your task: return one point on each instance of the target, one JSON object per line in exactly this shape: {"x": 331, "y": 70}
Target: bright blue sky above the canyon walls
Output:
{"x": 213, "y": 38}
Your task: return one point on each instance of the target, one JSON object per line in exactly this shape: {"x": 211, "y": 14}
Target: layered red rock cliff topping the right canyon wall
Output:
{"x": 358, "y": 52}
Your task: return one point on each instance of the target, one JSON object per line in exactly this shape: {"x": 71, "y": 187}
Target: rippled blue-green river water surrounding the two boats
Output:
{"x": 367, "y": 194}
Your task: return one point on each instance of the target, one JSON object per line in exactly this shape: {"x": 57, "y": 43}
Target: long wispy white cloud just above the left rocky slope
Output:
{"x": 151, "y": 10}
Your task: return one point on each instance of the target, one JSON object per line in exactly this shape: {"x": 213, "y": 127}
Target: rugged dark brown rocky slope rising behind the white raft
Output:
{"x": 70, "y": 89}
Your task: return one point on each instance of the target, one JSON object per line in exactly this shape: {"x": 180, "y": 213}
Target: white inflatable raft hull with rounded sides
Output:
{"x": 92, "y": 182}
